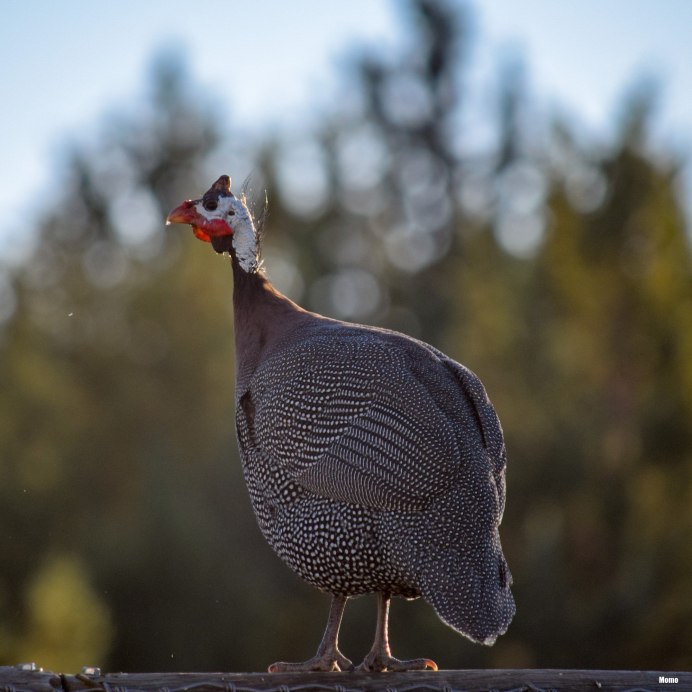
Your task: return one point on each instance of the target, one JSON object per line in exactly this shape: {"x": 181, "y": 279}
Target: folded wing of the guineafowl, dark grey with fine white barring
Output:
{"x": 355, "y": 419}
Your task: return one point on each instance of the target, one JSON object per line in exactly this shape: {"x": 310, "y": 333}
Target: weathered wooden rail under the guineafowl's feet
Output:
{"x": 28, "y": 678}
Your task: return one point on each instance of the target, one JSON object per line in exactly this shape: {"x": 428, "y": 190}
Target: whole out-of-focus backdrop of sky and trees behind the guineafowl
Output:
{"x": 517, "y": 195}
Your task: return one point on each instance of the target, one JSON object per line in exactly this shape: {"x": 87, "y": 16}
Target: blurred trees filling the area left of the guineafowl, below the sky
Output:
{"x": 111, "y": 445}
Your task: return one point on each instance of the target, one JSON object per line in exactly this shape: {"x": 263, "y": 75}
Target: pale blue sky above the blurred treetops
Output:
{"x": 63, "y": 65}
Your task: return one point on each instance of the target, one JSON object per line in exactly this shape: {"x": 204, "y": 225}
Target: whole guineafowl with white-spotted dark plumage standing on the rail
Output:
{"x": 374, "y": 462}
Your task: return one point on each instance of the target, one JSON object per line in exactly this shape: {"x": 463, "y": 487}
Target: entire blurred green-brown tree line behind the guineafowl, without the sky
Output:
{"x": 560, "y": 273}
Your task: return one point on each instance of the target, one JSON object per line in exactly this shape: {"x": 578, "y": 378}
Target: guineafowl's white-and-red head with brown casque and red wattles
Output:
{"x": 222, "y": 219}
